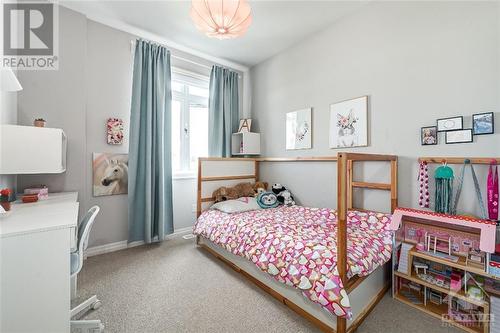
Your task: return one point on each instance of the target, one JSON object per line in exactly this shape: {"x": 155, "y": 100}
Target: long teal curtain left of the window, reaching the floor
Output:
{"x": 150, "y": 165}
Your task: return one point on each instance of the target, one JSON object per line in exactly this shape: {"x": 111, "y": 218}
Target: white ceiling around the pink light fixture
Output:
{"x": 276, "y": 25}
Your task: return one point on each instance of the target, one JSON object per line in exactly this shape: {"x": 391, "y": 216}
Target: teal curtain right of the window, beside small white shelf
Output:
{"x": 223, "y": 111}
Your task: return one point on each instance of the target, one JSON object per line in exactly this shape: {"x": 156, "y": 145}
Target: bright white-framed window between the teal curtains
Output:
{"x": 189, "y": 121}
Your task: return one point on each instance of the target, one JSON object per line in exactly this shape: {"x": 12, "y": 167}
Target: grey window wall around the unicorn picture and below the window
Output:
{"x": 109, "y": 85}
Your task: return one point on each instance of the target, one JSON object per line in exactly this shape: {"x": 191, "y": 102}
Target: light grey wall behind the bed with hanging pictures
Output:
{"x": 417, "y": 62}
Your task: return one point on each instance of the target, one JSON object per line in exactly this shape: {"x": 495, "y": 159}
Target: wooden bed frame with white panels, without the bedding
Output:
{"x": 364, "y": 292}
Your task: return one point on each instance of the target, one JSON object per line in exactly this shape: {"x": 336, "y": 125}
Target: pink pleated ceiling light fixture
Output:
{"x": 222, "y": 19}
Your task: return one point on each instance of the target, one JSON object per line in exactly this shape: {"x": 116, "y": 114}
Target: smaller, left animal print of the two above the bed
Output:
{"x": 299, "y": 129}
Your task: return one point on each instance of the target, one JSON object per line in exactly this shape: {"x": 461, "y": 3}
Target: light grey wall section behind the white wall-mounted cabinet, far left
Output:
{"x": 60, "y": 97}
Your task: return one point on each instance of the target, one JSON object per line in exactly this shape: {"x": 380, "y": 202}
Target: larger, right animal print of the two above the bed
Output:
{"x": 349, "y": 123}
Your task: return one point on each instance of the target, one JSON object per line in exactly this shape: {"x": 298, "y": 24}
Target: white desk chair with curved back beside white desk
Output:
{"x": 93, "y": 326}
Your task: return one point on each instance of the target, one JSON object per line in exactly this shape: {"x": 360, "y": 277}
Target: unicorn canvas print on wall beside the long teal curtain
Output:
{"x": 110, "y": 174}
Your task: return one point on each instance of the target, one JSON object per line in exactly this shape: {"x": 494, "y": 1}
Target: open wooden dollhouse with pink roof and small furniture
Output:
{"x": 446, "y": 269}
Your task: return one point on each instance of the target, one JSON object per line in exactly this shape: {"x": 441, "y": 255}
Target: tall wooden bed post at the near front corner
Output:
{"x": 342, "y": 198}
